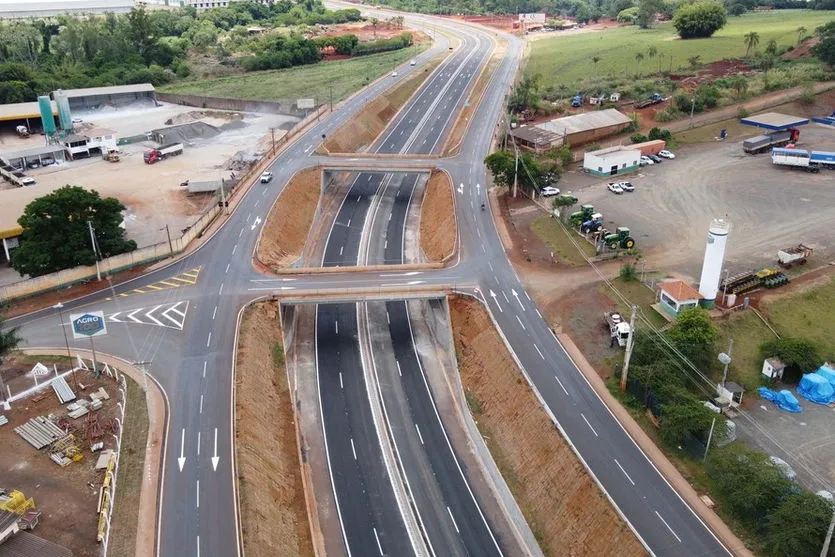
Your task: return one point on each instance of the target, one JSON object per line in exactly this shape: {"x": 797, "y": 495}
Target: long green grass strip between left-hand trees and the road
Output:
{"x": 314, "y": 81}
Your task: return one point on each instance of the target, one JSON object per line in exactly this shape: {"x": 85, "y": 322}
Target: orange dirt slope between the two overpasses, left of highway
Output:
{"x": 288, "y": 224}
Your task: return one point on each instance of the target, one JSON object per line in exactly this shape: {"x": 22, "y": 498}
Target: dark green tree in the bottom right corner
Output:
{"x": 798, "y": 525}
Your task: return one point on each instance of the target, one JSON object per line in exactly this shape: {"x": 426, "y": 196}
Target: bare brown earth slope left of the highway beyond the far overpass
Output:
{"x": 360, "y": 132}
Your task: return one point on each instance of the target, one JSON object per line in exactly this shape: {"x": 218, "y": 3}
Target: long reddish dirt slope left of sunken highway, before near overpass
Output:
{"x": 273, "y": 509}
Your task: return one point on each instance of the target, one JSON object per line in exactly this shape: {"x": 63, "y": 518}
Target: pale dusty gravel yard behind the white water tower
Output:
{"x": 673, "y": 203}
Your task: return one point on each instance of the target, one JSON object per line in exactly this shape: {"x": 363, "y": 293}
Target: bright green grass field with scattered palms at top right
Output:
{"x": 567, "y": 58}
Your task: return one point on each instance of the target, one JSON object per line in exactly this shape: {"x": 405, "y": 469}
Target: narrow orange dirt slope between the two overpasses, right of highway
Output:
{"x": 438, "y": 231}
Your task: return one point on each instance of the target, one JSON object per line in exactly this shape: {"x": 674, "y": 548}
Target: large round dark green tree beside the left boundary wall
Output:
{"x": 56, "y": 235}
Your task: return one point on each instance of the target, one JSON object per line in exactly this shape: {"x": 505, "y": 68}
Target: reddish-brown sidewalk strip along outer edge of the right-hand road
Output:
{"x": 654, "y": 454}
